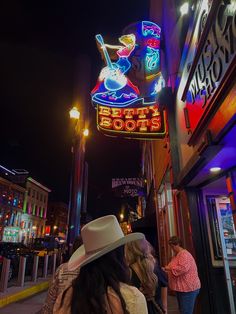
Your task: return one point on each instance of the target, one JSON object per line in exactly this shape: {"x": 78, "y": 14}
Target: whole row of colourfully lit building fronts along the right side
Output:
{"x": 193, "y": 170}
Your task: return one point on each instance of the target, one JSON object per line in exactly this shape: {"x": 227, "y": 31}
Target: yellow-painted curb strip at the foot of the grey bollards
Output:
{"x": 14, "y": 294}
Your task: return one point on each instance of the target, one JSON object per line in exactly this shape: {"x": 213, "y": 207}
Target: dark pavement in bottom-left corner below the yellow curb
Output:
{"x": 30, "y": 306}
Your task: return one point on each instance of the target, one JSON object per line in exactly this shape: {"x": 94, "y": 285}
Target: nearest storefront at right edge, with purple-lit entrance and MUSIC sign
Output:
{"x": 205, "y": 198}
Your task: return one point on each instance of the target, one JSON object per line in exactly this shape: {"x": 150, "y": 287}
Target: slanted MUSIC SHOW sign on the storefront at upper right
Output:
{"x": 212, "y": 69}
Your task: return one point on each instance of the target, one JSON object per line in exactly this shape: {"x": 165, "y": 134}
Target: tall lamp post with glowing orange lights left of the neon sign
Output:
{"x": 76, "y": 180}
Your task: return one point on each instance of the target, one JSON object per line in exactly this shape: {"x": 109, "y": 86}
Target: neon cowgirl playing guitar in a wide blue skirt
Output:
{"x": 113, "y": 87}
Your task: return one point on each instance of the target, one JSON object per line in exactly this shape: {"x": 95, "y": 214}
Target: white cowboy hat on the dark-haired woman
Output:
{"x": 100, "y": 236}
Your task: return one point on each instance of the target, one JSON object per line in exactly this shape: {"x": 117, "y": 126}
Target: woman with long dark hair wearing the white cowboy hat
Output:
{"x": 102, "y": 285}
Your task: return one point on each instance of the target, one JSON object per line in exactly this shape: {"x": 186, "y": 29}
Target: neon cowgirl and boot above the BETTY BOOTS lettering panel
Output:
{"x": 142, "y": 47}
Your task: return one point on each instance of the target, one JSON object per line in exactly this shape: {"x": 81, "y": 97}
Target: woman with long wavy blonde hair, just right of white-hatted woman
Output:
{"x": 142, "y": 266}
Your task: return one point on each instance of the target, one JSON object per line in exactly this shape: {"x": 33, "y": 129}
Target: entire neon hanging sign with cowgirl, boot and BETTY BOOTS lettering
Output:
{"x": 125, "y": 95}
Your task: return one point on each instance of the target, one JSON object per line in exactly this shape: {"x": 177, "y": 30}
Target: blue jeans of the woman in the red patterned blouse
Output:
{"x": 186, "y": 301}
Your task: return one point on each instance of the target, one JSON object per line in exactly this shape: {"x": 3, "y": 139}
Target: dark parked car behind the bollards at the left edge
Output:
{"x": 13, "y": 251}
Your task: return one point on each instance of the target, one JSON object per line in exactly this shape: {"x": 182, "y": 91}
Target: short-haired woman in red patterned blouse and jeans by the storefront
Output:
{"x": 183, "y": 276}
